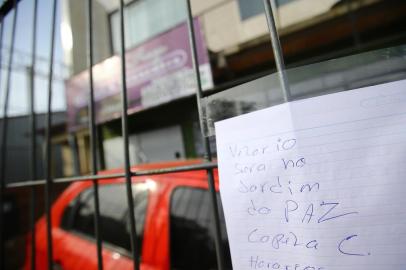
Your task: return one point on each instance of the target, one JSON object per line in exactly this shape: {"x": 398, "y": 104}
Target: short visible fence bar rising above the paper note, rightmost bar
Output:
{"x": 277, "y": 51}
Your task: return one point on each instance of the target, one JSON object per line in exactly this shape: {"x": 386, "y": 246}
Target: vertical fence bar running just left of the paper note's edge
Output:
{"x": 206, "y": 143}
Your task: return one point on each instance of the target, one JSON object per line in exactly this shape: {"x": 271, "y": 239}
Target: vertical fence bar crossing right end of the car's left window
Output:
{"x": 130, "y": 198}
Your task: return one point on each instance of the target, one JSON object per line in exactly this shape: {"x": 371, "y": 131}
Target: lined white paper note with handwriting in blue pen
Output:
{"x": 317, "y": 184}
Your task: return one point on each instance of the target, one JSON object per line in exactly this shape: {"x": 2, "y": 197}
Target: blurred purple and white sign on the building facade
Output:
{"x": 158, "y": 71}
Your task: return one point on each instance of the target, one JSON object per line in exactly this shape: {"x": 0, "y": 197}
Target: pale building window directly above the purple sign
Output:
{"x": 145, "y": 19}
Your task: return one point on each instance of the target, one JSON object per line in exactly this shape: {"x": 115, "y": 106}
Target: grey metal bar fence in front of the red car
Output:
{"x": 11, "y": 6}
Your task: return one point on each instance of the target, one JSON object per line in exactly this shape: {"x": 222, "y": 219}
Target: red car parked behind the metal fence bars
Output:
{"x": 173, "y": 223}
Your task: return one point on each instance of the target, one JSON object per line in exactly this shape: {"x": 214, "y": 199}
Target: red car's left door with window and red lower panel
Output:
{"x": 76, "y": 239}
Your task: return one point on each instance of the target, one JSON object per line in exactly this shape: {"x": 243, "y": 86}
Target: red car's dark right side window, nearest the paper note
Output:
{"x": 191, "y": 231}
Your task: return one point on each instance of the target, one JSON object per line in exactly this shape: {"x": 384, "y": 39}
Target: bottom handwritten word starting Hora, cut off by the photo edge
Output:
{"x": 255, "y": 262}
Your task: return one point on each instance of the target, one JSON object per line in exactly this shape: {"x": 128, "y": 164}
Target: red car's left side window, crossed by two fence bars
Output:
{"x": 114, "y": 224}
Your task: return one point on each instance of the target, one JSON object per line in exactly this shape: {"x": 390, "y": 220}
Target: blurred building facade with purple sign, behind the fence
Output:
{"x": 233, "y": 47}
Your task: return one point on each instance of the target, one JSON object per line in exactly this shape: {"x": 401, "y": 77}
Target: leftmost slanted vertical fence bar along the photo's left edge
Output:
{"x": 5, "y": 131}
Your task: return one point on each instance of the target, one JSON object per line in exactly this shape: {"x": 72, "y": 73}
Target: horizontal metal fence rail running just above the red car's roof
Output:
{"x": 195, "y": 167}
